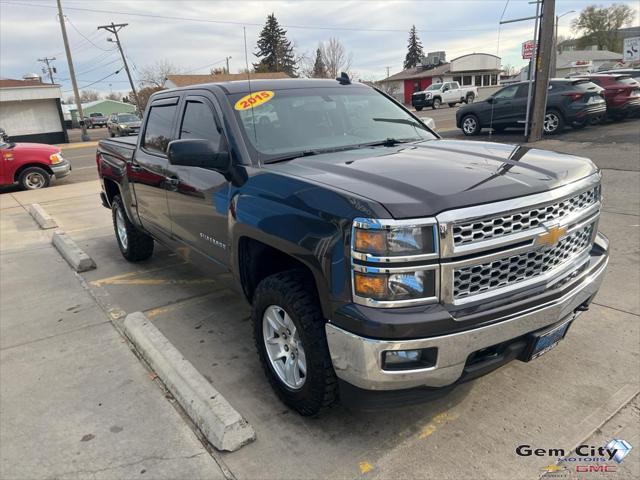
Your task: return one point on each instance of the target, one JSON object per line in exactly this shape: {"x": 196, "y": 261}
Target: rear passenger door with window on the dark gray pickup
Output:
{"x": 148, "y": 170}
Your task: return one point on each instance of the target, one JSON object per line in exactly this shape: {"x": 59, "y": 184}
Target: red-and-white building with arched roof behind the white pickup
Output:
{"x": 481, "y": 70}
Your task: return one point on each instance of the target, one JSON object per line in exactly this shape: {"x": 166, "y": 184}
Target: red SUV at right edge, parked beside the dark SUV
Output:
{"x": 621, "y": 92}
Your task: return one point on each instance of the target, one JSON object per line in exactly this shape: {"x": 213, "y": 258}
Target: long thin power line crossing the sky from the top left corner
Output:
{"x": 227, "y": 22}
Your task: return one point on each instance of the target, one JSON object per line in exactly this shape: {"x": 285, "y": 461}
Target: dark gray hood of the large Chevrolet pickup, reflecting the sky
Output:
{"x": 426, "y": 178}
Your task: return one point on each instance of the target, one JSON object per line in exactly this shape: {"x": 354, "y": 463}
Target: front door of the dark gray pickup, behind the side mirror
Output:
{"x": 198, "y": 197}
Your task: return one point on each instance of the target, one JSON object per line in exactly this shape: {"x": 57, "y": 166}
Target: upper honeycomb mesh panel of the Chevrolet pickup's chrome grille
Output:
{"x": 498, "y": 226}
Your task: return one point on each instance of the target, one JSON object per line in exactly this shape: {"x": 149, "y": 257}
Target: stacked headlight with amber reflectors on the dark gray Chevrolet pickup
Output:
{"x": 396, "y": 244}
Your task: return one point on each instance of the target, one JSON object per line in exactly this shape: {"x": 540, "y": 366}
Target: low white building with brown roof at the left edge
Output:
{"x": 30, "y": 111}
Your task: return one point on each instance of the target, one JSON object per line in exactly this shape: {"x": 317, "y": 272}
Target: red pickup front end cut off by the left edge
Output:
{"x": 30, "y": 164}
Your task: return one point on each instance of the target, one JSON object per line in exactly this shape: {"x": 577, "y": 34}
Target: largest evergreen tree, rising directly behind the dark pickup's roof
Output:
{"x": 274, "y": 50}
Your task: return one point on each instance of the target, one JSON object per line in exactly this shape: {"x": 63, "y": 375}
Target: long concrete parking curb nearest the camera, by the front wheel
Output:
{"x": 220, "y": 423}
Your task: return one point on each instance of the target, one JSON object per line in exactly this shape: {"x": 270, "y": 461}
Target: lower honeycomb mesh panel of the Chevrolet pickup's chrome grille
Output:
{"x": 513, "y": 269}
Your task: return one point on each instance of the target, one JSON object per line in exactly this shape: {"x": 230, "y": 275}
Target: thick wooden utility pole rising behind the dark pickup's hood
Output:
{"x": 542, "y": 67}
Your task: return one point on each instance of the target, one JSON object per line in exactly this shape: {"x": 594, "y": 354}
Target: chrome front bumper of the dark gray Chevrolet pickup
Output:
{"x": 358, "y": 360}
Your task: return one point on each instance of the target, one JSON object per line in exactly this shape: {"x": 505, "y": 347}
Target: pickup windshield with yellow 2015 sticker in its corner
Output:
{"x": 313, "y": 120}
